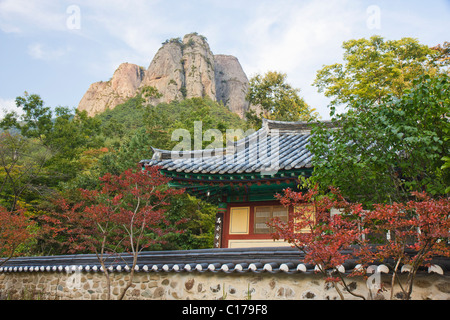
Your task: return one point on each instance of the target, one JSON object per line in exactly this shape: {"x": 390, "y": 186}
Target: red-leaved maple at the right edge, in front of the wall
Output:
{"x": 412, "y": 234}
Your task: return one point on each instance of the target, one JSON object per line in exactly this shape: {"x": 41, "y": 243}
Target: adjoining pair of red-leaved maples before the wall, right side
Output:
{"x": 398, "y": 235}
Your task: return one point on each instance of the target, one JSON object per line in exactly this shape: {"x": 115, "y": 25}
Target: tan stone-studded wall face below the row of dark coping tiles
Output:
{"x": 203, "y": 286}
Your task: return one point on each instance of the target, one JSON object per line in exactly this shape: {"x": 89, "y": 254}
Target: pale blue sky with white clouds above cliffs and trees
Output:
{"x": 58, "y": 48}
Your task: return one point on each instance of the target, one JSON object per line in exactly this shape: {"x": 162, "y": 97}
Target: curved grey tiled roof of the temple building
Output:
{"x": 278, "y": 145}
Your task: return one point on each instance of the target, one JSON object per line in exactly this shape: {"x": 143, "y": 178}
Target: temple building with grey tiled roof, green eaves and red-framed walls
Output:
{"x": 243, "y": 179}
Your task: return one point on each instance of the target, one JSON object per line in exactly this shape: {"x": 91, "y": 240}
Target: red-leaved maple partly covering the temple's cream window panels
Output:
{"x": 325, "y": 239}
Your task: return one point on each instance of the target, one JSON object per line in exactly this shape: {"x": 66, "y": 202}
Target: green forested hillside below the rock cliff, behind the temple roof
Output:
{"x": 55, "y": 153}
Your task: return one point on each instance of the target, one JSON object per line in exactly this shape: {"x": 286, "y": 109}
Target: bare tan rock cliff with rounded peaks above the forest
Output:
{"x": 180, "y": 69}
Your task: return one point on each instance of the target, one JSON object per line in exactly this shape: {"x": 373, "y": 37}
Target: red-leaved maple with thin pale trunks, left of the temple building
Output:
{"x": 126, "y": 215}
